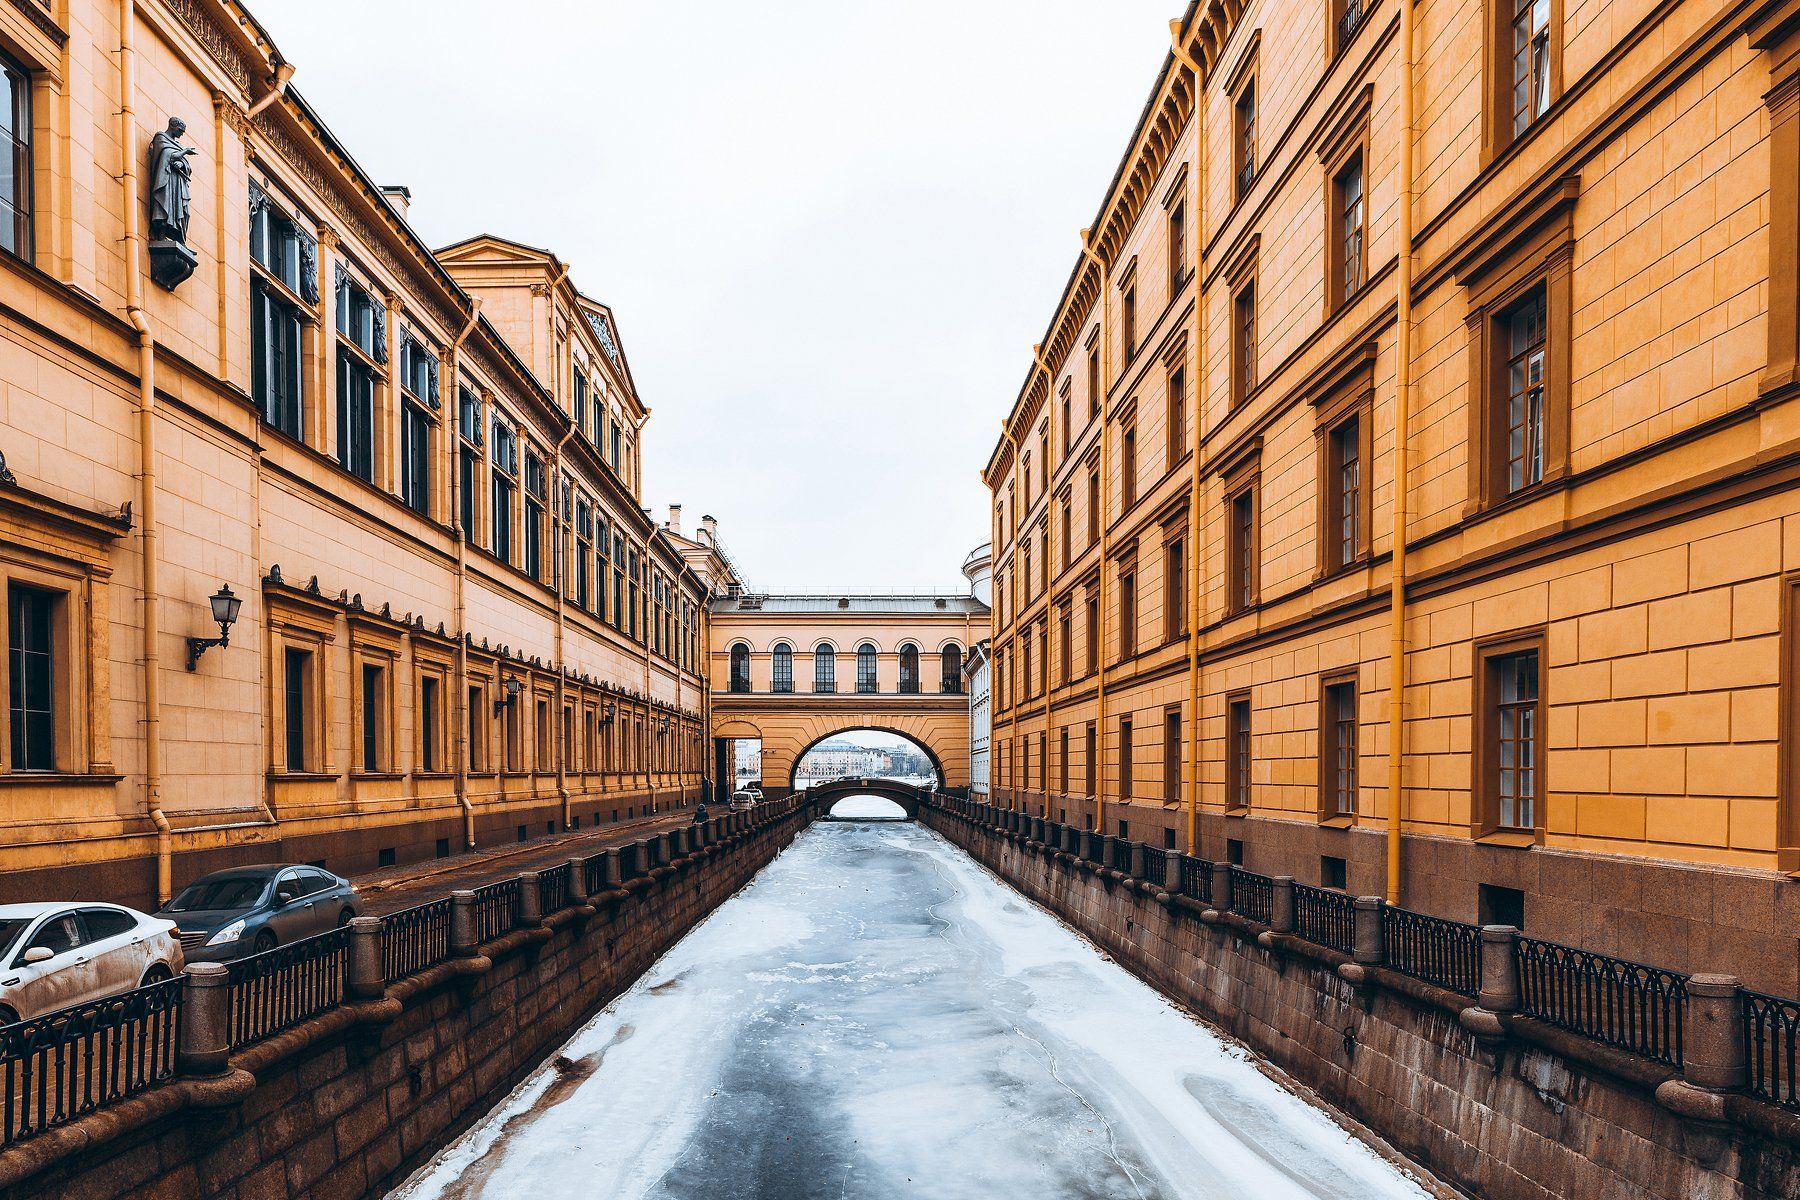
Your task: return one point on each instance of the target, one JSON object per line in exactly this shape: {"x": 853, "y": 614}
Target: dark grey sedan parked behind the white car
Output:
{"x": 242, "y": 911}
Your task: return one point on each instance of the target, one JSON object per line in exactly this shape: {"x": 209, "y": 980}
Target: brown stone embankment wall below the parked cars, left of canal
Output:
{"x": 354, "y": 1113}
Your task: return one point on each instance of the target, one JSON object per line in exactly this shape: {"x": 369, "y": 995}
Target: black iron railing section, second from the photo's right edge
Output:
{"x": 1615, "y": 1001}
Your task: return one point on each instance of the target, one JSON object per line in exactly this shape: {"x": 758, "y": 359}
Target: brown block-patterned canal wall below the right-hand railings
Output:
{"x": 1538, "y": 1127}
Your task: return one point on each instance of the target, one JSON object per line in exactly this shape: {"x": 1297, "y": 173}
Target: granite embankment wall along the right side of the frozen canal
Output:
{"x": 1522, "y": 1113}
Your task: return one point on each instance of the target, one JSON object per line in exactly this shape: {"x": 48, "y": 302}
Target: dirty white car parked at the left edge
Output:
{"x": 60, "y": 954}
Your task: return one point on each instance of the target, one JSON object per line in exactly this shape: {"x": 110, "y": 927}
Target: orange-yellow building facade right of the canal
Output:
{"x": 1547, "y": 346}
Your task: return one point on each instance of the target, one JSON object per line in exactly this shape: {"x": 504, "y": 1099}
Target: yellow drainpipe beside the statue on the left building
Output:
{"x": 147, "y": 447}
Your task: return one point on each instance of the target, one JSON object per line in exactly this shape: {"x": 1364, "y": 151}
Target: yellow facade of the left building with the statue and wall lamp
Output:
{"x": 418, "y": 474}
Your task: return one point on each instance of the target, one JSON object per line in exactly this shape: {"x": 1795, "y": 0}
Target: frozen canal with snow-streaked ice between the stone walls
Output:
{"x": 879, "y": 1017}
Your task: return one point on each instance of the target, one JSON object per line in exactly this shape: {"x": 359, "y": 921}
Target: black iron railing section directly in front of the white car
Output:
{"x": 73, "y": 1062}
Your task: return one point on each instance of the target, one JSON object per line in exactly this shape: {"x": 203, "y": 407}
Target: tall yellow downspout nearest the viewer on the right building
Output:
{"x": 1403, "y": 381}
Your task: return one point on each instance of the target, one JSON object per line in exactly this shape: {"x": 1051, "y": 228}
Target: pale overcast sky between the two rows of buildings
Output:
{"x": 831, "y": 229}
